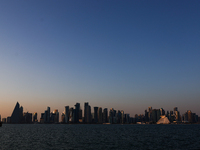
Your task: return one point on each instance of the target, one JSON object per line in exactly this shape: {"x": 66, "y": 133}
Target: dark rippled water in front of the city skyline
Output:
{"x": 58, "y": 136}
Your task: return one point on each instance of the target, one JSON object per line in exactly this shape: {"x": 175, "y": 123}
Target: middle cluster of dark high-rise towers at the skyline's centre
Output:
{"x": 98, "y": 116}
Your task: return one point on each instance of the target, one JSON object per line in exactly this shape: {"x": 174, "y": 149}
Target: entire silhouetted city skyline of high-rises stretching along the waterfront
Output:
{"x": 97, "y": 115}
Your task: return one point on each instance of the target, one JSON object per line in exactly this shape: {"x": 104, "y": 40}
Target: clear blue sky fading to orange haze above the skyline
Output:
{"x": 126, "y": 55}
